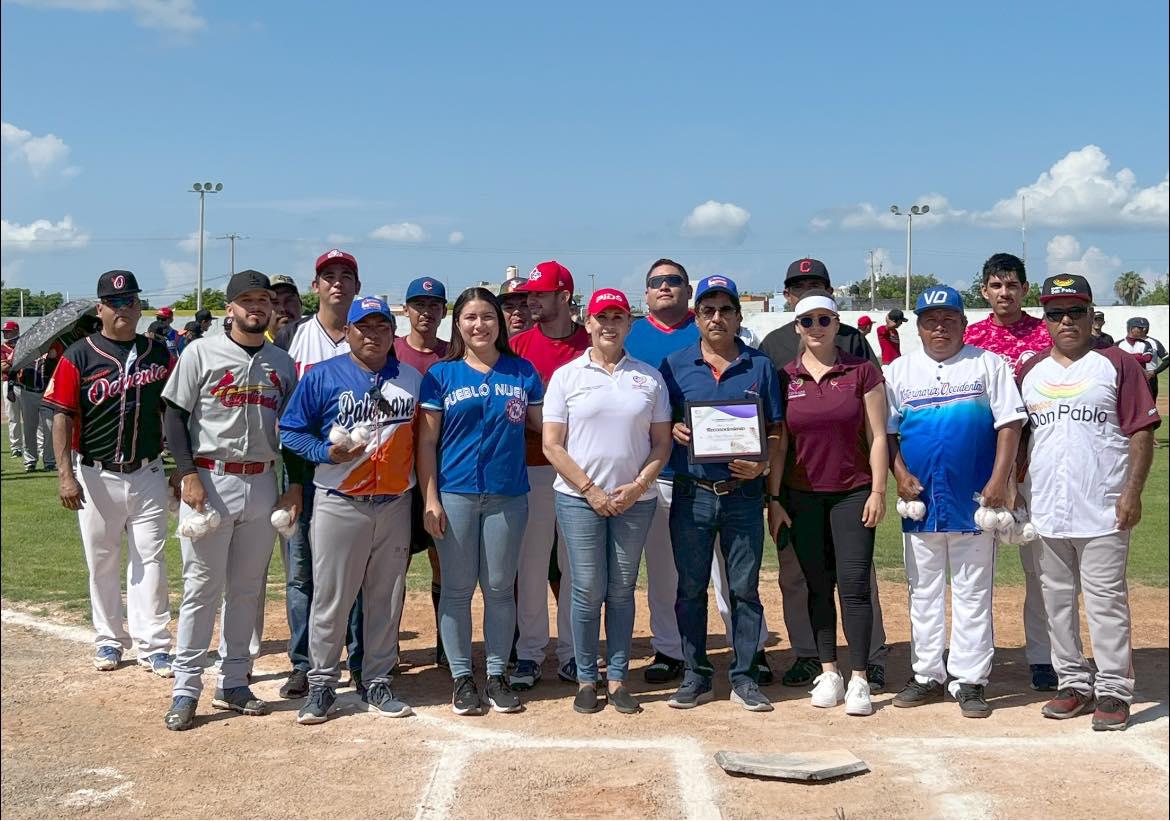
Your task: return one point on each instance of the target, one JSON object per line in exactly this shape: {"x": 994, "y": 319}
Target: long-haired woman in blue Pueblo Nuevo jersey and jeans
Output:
{"x": 471, "y": 467}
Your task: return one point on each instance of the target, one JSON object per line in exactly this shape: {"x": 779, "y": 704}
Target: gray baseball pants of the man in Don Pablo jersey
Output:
{"x": 1099, "y": 564}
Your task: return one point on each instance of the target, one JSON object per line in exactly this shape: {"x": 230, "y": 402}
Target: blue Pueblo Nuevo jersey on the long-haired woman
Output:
{"x": 481, "y": 447}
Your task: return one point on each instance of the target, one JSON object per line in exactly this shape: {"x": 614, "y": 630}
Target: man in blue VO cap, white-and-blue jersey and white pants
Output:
{"x": 956, "y": 419}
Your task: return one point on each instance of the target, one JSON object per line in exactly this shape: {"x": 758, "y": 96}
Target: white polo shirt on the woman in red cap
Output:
{"x": 608, "y": 417}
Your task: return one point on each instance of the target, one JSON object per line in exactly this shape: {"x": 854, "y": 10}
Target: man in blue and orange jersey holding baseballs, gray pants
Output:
{"x": 362, "y": 513}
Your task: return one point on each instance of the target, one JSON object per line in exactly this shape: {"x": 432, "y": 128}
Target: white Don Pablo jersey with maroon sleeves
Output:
{"x": 1083, "y": 417}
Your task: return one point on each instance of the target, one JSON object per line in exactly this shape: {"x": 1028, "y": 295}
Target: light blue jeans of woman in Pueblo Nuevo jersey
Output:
{"x": 481, "y": 546}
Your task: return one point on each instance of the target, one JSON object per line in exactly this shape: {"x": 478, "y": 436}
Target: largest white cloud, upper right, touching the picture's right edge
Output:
{"x": 1079, "y": 192}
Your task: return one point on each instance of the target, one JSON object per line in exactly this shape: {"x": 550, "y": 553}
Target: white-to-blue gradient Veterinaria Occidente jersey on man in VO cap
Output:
{"x": 947, "y": 416}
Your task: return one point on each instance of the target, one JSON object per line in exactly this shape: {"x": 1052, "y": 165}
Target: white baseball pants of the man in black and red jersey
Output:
{"x": 134, "y": 505}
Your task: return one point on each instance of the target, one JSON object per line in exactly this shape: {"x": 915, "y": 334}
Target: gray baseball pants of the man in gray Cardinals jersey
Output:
{"x": 230, "y": 563}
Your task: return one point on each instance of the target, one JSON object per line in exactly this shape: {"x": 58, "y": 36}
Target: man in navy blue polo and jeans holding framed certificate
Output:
{"x": 724, "y": 500}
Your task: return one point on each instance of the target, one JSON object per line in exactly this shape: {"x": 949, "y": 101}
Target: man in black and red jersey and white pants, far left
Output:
{"x": 108, "y": 434}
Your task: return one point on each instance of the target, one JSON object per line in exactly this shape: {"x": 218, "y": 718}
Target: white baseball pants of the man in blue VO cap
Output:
{"x": 973, "y": 574}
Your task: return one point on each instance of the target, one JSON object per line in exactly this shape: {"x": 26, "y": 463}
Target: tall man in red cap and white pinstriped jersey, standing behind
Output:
{"x": 311, "y": 341}
